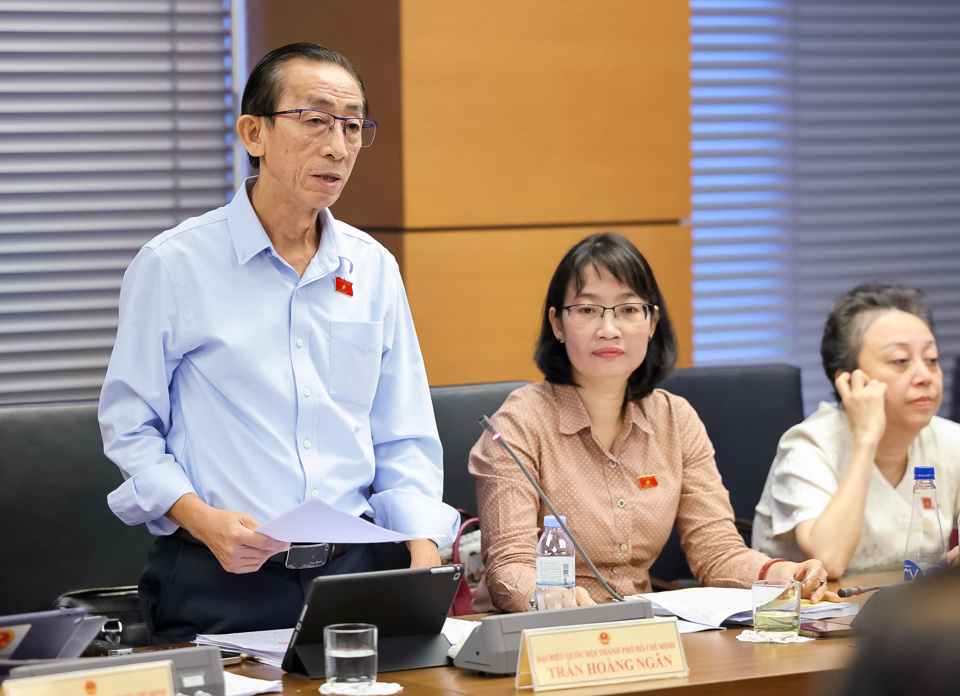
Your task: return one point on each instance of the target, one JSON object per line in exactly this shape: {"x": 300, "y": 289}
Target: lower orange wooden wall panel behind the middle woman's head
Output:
{"x": 477, "y": 296}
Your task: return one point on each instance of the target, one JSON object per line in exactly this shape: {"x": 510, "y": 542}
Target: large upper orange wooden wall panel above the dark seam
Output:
{"x": 545, "y": 112}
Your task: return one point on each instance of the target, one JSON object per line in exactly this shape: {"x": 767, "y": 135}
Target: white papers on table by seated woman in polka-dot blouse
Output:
{"x": 712, "y": 606}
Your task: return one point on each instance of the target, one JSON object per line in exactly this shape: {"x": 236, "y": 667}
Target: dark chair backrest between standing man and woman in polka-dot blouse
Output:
{"x": 458, "y": 408}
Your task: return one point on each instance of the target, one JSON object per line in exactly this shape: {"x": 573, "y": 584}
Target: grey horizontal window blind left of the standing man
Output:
{"x": 115, "y": 124}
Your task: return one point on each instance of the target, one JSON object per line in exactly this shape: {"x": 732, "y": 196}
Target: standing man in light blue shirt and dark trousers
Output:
{"x": 265, "y": 356}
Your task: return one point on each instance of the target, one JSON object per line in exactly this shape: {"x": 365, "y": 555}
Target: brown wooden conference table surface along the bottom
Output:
{"x": 718, "y": 662}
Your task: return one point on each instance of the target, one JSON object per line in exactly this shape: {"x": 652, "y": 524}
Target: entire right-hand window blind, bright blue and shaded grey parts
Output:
{"x": 825, "y": 142}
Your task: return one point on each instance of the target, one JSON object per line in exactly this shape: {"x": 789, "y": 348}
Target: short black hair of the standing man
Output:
{"x": 265, "y": 83}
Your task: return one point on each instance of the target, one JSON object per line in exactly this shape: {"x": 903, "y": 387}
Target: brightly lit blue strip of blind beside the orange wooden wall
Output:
{"x": 741, "y": 63}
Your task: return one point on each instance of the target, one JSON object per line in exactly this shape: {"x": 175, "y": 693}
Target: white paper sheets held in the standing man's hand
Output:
{"x": 315, "y": 522}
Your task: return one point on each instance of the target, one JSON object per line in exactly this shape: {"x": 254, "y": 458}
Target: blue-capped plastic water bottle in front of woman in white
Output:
{"x": 925, "y": 548}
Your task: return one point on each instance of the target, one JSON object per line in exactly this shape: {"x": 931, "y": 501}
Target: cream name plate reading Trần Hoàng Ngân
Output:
{"x": 604, "y": 653}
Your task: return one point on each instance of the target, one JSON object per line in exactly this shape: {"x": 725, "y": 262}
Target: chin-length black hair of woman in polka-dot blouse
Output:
{"x": 620, "y": 258}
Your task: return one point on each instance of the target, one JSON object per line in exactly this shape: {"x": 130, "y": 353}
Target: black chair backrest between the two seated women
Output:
{"x": 745, "y": 409}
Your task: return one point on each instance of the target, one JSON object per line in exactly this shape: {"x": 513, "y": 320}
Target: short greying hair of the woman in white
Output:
{"x": 852, "y": 314}
